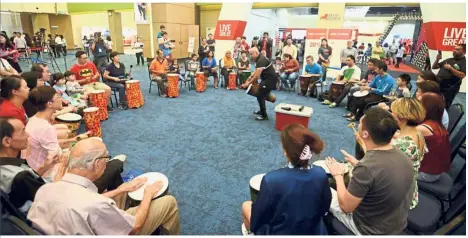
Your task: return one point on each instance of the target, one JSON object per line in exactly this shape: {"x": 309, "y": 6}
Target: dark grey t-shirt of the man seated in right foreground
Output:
{"x": 384, "y": 181}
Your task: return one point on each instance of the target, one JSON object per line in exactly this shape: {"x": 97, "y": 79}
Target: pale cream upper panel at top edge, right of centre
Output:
{"x": 331, "y": 15}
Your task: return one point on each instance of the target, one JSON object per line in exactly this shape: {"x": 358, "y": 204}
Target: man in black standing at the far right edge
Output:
{"x": 451, "y": 73}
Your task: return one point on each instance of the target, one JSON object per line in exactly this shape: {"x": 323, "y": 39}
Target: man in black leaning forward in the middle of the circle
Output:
{"x": 264, "y": 69}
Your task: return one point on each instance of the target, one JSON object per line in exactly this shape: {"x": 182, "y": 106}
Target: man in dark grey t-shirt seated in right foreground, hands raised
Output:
{"x": 378, "y": 196}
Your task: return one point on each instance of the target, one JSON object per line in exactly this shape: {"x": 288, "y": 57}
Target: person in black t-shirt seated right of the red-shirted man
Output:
{"x": 115, "y": 75}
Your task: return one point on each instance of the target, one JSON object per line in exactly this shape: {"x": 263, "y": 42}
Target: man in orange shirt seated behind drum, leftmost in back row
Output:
{"x": 158, "y": 69}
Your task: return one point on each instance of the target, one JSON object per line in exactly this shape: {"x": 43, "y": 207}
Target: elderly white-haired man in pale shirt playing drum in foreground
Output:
{"x": 73, "y": 206}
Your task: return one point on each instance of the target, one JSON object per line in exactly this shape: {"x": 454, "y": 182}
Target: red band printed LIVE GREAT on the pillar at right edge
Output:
{"x": 444, "y": 36}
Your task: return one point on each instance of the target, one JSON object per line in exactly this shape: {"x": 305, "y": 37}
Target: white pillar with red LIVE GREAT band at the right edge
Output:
{"x": 443, "y": 31}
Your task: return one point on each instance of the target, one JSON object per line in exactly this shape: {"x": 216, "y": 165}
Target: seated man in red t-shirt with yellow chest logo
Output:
{"x": 88, "y": 75}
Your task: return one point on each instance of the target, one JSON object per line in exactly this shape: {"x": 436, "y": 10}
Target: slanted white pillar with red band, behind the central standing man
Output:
{"x": 231, "y": 24}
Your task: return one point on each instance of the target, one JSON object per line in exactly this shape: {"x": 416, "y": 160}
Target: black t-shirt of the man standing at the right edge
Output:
{"x": 446, "y": 78}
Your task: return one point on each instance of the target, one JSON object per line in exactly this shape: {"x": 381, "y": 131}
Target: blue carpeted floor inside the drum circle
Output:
{"x": 209, "y": 146}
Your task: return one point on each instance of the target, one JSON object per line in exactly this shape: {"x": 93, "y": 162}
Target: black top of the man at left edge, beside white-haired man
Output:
{"x": 23, "y": 180}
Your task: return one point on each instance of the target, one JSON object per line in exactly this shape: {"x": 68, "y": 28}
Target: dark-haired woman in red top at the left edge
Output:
{"x": 14, "y": 91}
